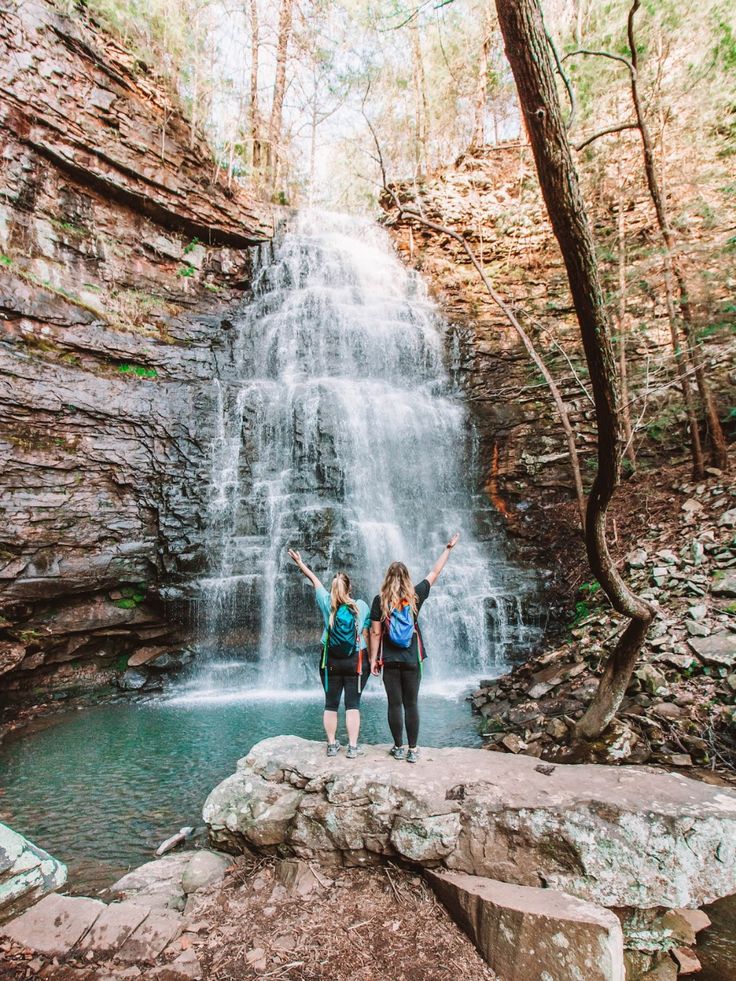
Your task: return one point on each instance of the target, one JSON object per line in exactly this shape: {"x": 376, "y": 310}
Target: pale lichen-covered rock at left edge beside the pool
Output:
{"x": 26, "y": 873}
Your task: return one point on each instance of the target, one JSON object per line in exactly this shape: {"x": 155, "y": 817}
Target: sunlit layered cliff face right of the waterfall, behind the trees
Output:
{"x": 492, "y": 197}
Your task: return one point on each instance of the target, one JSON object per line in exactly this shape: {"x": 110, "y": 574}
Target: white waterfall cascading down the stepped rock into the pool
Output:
{"x": 338, "y": 433}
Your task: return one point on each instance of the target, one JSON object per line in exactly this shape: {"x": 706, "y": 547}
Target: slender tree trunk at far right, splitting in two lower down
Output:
{"x": 674, "y": 272}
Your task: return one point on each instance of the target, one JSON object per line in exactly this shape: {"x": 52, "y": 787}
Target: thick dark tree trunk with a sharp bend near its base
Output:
{"x": 528, "y": 54}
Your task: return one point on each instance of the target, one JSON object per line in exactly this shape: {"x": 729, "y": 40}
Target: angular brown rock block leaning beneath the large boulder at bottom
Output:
{"x": 526, "y": 933}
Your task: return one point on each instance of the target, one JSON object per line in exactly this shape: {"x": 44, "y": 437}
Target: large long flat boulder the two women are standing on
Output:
{"x": 614, "y": 836}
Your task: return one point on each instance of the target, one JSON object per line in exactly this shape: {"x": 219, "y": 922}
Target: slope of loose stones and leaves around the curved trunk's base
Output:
{"x": 675, "y": 542}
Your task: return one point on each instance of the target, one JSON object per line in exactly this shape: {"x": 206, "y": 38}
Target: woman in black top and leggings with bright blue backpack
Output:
{"x": 396, "y": 646}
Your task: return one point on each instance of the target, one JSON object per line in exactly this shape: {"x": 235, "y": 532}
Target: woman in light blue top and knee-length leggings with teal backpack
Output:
{"x": 343, "y": 663}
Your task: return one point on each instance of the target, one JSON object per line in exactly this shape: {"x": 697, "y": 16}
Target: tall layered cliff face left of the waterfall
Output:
{"x": 120, "y": 247}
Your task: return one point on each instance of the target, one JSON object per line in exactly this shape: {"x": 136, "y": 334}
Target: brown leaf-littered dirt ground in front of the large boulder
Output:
{"x": 264, "y": 922}
